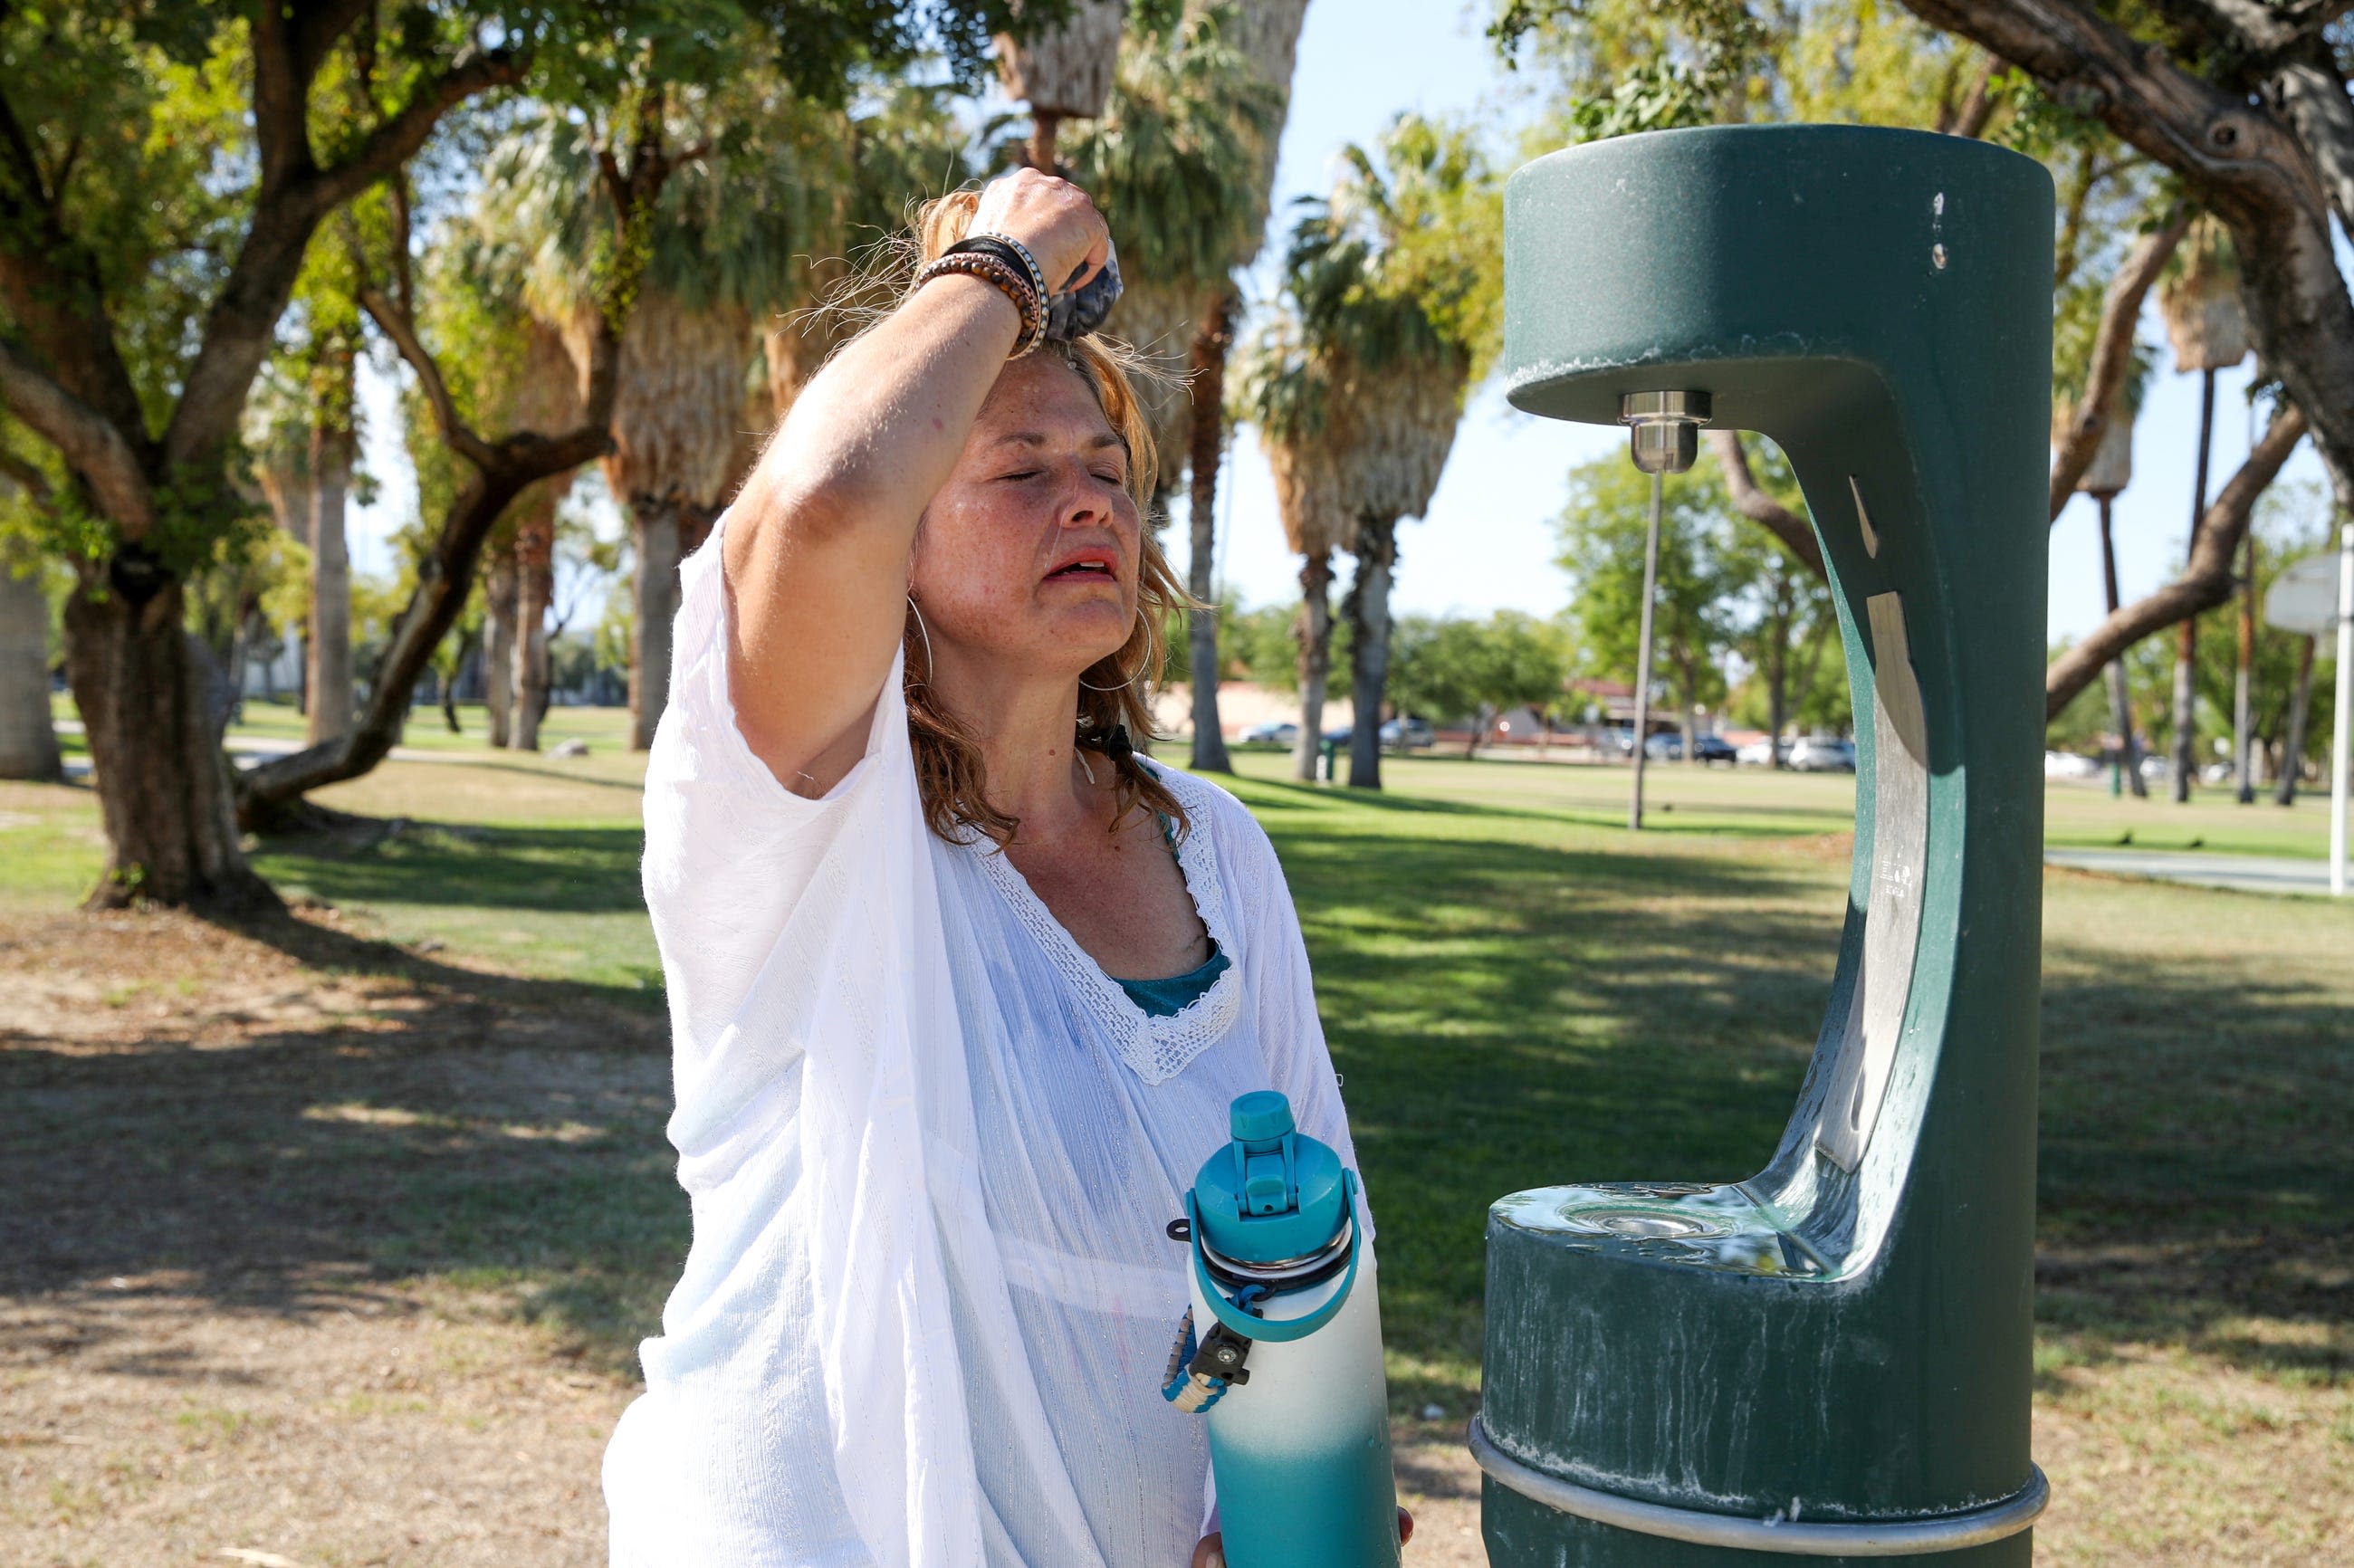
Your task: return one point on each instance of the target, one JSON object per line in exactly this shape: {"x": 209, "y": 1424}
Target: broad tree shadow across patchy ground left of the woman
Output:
{"x": 455, "y": 1131}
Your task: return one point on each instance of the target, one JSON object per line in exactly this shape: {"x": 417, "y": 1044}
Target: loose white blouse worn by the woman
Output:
{"x": 931, "y": 1152}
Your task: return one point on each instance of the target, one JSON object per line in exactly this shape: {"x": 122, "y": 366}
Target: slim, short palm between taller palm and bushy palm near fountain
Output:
{"x": 1284, "y": 394}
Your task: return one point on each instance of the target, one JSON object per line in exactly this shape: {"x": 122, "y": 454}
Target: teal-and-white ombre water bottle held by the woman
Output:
{"x": 1284, "y": 1350}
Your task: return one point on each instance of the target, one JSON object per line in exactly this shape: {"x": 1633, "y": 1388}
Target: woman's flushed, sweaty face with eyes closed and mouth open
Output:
{"x": 1028, "y": 557}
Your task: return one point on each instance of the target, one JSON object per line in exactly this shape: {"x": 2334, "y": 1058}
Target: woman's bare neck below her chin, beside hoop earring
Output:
{"x": 1025, "y": 729}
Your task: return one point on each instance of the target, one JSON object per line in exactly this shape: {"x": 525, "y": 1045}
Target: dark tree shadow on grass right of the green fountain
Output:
{"x": 2195, "y": 1181}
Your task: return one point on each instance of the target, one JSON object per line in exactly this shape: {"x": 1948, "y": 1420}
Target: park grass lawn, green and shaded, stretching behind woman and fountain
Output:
{"x": 439, "y": 1096}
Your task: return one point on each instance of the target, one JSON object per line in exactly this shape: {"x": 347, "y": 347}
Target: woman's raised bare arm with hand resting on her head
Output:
{"x": 818, "y": 545}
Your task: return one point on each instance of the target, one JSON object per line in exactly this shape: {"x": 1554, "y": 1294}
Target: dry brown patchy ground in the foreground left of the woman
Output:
{"x": 310, "y": 1254}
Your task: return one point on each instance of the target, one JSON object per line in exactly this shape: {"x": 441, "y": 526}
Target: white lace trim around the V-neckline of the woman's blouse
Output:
{"x": 1155, "y": 1049}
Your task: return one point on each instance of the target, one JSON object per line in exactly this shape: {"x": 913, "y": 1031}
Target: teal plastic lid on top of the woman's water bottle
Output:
{"x": 1275, "y": 1192}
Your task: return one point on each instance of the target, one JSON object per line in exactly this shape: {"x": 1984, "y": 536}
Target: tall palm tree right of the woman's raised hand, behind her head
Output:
{"x": 1176, "y": 164}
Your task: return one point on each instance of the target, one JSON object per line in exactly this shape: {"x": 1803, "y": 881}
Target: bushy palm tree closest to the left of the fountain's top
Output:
{"x": 1399, "y": 288}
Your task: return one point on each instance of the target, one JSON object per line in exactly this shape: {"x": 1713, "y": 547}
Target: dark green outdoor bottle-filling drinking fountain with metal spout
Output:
{"x": 1830, "y": 1360}
